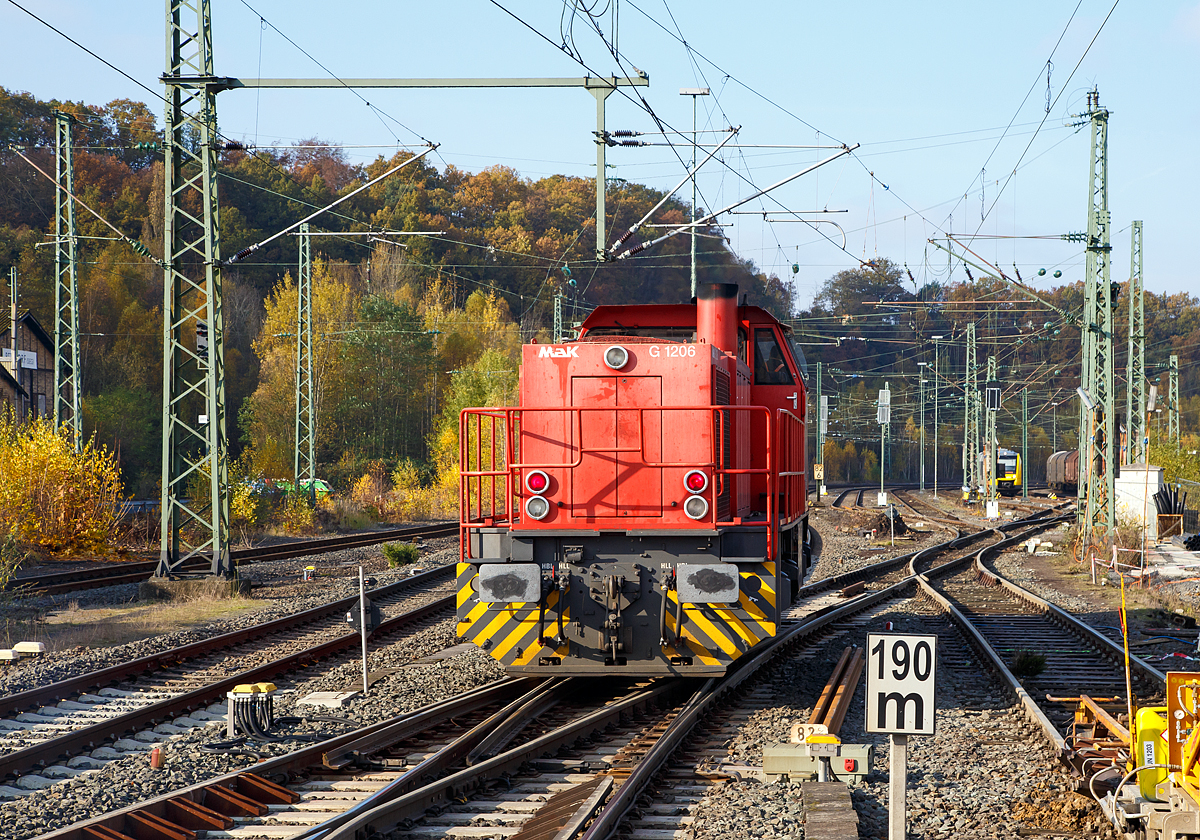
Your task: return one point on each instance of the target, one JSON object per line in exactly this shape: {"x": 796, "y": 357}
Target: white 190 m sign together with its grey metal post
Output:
{"x": 902, "y": 676}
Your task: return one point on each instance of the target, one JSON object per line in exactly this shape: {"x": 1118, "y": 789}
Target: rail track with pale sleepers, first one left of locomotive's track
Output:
{"x": 55, "y": 724}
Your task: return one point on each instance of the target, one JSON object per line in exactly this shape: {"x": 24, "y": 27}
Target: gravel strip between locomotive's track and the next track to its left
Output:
{"x": 407, "y": 687}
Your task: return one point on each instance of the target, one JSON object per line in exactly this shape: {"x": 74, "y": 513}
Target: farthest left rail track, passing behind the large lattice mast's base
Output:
{"x": 113, "y": 574}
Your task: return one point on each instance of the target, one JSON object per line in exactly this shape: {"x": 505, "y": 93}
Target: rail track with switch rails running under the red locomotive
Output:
{"x": 511, "y": 773}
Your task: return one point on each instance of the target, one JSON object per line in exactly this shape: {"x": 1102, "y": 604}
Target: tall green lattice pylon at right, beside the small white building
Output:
{"x": 1099, "y": 446}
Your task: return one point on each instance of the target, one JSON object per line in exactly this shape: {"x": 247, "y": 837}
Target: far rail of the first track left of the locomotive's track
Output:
{"x": 47, "y": 695}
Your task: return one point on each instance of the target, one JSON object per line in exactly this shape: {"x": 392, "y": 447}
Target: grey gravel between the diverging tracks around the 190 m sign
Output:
{"x": 986, "y": 773}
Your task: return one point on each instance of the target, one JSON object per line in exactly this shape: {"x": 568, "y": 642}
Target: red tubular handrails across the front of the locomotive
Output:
{"x": 489, "y": 496}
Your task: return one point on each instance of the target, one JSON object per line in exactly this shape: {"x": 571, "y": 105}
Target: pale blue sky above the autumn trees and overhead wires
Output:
{"x": 927, "y": 88}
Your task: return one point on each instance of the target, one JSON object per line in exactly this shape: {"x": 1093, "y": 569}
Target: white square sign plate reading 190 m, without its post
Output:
{"x": 902, "y": 683}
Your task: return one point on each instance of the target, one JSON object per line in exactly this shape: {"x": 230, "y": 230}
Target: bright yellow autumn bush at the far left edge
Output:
{"x": 52, "y": 497}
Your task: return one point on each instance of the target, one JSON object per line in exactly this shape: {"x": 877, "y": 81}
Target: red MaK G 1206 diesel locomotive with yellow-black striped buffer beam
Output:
{"x": 643, "y": 511}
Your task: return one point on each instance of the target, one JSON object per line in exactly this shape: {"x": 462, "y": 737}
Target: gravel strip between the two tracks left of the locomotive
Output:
{"x": 277, "y": 580}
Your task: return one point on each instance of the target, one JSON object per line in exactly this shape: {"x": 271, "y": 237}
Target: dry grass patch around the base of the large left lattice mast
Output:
{"x": 105, "y": 627}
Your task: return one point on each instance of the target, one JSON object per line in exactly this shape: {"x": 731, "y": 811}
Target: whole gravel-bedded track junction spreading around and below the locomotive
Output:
{"x": 443, "y": 746}
